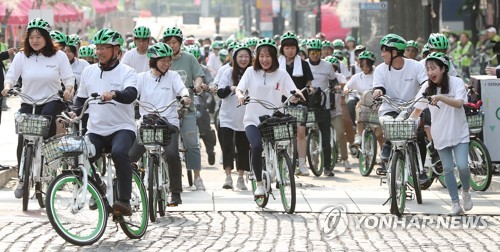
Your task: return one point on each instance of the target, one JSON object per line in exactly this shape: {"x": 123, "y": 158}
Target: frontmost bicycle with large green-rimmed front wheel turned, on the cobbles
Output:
{"x": 78, "y": 206}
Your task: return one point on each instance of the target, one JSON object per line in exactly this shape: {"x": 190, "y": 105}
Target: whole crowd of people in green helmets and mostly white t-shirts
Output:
{"x": 123, "y": 69}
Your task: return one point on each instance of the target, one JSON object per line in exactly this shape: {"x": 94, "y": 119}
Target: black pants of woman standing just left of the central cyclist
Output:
{"x": 229, "y": 139}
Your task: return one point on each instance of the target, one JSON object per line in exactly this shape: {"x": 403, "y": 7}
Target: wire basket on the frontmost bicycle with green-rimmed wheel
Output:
{"x": 61, "y": 146}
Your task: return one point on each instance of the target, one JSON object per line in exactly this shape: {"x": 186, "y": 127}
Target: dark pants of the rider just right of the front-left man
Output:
{"x": 171, "y": 156}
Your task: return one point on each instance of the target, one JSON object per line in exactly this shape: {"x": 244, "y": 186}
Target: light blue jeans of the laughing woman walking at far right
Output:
{"x": 460, "y": 152}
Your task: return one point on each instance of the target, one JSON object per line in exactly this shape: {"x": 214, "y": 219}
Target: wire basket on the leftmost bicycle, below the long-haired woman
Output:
{"x": 35, "y": 125}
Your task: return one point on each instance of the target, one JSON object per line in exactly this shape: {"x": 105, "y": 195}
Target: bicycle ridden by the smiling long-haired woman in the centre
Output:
{"x": 277, "y": 165}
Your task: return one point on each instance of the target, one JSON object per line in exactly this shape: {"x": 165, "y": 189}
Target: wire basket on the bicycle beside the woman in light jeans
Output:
{"x": 399, "y": 130}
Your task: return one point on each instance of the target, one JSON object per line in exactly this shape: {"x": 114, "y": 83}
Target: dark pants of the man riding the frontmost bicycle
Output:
{"x": 119, "y": 143}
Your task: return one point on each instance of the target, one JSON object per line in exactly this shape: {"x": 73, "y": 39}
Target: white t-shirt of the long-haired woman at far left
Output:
{"x": 41, "y": 75}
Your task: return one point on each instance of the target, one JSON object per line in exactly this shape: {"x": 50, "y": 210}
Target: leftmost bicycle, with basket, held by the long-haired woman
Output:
{"x": 33, "y": 128}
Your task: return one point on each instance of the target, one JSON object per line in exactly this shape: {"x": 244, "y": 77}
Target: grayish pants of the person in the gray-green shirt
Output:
{"x": 189, "y": 131}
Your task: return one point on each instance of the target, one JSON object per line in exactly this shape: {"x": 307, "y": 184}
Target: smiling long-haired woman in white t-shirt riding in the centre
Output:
{"x": 266, "y": 81}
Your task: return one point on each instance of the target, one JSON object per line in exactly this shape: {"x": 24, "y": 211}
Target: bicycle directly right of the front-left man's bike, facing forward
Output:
{"x": 154, "y": 136}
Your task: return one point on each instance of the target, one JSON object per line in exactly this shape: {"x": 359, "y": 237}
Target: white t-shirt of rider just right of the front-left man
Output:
{"x": 159, "y": 94}
